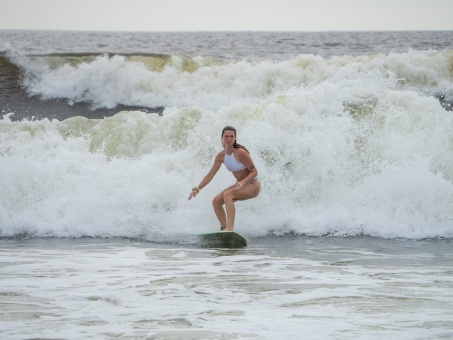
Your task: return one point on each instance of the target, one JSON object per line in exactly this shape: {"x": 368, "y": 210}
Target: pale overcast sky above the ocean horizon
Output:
{"x": 227, "y": 15}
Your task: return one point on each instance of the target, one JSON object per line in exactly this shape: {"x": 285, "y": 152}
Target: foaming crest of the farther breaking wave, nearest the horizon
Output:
{"x": 177, "y": 81}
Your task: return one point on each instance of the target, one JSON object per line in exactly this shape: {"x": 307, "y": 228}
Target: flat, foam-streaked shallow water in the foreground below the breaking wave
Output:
{"x": 286, "y": 288}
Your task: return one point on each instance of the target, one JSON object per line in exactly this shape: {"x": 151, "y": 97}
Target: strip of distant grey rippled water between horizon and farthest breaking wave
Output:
{"x": 234, "y": 45}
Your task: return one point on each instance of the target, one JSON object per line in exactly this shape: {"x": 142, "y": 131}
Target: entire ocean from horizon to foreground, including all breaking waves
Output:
{"x": 103, "y": 135}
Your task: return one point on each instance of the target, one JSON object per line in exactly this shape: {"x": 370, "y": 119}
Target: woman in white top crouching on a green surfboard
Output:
{"x": 237, "y": 160}
